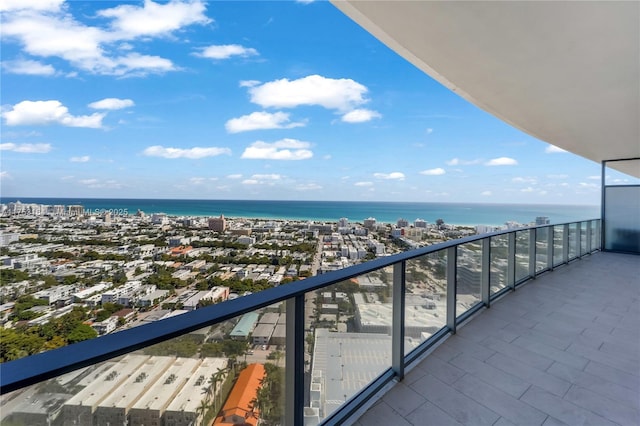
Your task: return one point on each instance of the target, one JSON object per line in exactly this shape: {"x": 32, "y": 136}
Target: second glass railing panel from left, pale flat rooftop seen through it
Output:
{"x": 348, "y": 339}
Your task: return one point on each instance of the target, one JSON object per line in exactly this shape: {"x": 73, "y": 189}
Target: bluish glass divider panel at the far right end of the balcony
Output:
{"x": 622, "y": 214}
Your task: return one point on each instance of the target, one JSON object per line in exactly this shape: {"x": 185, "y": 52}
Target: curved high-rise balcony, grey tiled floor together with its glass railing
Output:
{"x": 559, "y": 314}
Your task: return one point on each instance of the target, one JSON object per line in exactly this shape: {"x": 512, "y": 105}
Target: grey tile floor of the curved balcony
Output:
{"x": 563, "y": 349}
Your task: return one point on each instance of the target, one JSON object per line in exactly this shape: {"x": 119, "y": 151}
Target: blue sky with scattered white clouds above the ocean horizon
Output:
{"x": 247, "y": 100}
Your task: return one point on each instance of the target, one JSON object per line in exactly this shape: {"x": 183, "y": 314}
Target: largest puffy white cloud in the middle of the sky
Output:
{"x": 336, "y": 94}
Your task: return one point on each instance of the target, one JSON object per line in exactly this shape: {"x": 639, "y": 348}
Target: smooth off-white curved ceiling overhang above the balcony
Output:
{"x": 565, "y": 72}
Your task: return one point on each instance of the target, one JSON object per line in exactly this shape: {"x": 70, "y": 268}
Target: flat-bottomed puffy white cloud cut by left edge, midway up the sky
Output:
{"x": 49, "y": 112}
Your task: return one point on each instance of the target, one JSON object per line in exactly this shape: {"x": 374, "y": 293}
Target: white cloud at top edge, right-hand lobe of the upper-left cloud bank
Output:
{"x": 155, "y": 19}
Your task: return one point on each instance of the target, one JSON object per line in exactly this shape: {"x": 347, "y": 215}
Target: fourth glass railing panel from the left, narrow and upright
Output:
{"x": 468, "y": 275}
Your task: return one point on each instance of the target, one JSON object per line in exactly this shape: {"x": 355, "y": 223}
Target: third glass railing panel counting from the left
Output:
{"x": 426, "y": 298}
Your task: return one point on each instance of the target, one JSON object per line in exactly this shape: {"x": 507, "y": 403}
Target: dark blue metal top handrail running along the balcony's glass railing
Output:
{"x": 33, "y": 369}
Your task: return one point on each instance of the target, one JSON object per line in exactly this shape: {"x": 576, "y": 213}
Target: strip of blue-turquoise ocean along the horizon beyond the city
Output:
{"x": 388, "y": 212}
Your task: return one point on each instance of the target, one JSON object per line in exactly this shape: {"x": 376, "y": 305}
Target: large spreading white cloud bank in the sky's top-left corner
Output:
{"x": 52, "y": 32}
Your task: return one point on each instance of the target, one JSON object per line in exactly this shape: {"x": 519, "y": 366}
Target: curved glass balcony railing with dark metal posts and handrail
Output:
{"x": 307, "y": 353}
